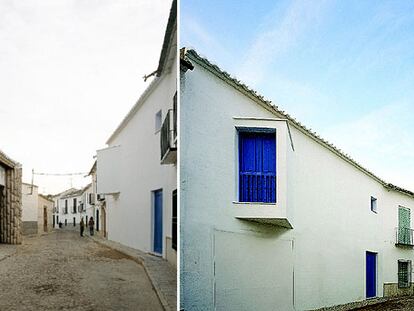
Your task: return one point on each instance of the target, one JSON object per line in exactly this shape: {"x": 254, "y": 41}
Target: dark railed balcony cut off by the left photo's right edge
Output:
{"x": 169, "y": 138}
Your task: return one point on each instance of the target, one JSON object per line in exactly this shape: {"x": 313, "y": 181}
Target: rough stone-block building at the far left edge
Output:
{"x": 10, "y": 200}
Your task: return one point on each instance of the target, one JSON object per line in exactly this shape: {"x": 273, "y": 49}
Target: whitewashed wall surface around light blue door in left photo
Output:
{"x": 129, "y": 212}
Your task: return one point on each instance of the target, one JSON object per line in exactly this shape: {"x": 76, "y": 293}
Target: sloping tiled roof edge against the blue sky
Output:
{"x": 192, "y": 55}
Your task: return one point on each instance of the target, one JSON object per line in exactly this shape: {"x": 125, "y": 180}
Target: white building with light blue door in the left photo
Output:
{"x": 137, "y": 172}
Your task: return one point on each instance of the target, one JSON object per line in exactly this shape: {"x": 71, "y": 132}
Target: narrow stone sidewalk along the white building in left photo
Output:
{"x": 161, "y": 273}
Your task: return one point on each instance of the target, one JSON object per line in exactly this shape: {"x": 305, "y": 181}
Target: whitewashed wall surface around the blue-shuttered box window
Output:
{"x": 320, "y": 262}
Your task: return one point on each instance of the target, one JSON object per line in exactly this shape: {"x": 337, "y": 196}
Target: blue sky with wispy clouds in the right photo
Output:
{"x": 345, "y": 69}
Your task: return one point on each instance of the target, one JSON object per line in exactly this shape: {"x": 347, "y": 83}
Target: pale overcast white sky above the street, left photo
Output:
{"x": 70, "y": 70}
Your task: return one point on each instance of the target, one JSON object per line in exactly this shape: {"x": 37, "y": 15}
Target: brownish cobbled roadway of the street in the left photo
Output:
{"x": 62, "y": 271}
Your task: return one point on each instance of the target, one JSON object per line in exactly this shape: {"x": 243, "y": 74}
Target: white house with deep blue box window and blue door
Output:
{"x": 273, "y": 217}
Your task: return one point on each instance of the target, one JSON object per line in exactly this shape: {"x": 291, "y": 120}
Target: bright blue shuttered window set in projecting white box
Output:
{"x": 257, "y": 166}
